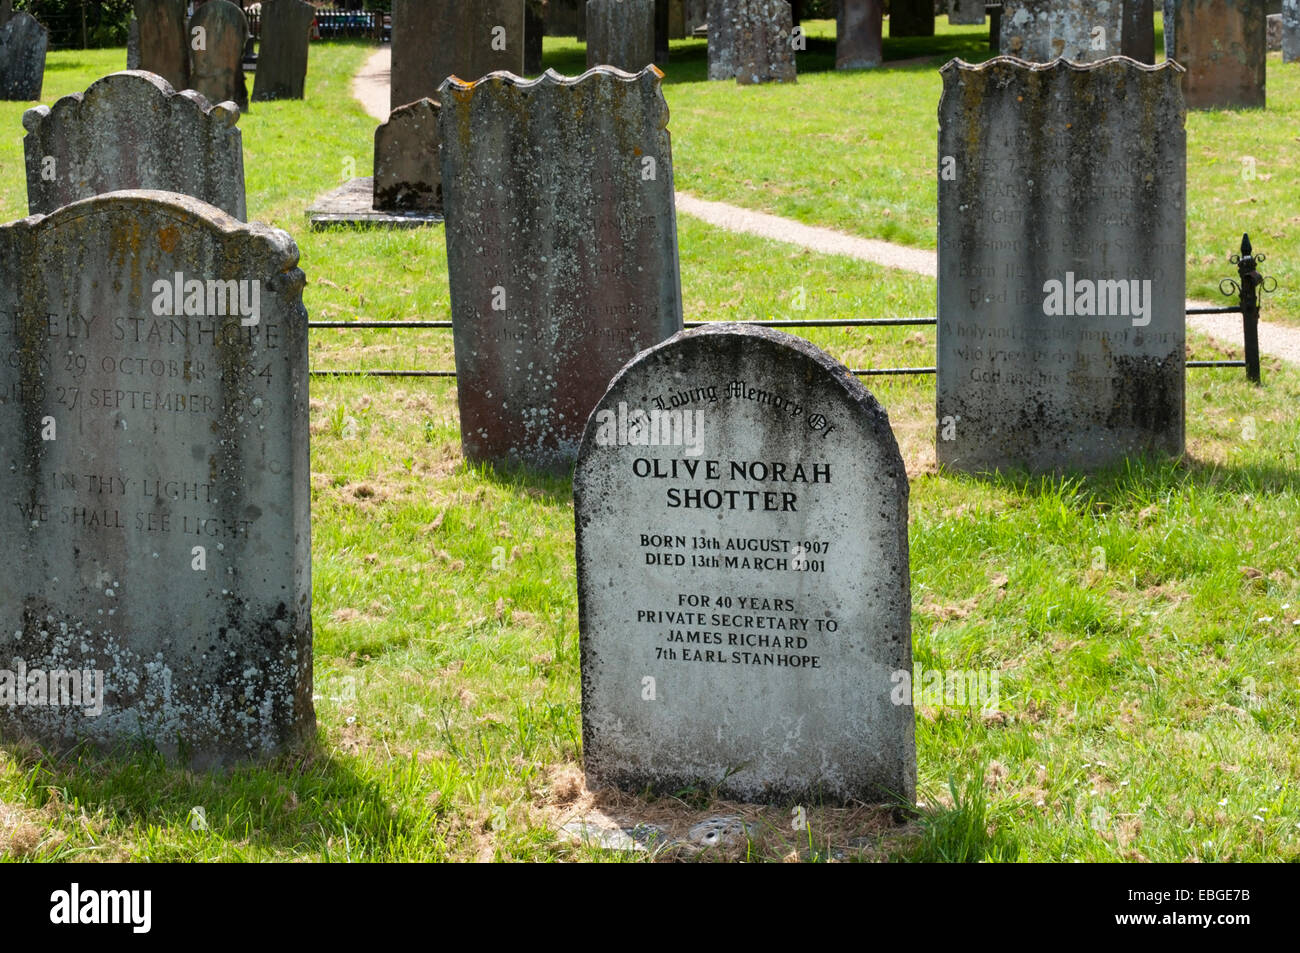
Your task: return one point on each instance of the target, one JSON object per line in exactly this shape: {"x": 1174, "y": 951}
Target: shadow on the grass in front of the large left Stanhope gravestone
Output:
{"x": 310, "y": 804}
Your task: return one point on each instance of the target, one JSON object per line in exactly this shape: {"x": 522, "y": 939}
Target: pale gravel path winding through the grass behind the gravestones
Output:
{"x": 371, "y": 88}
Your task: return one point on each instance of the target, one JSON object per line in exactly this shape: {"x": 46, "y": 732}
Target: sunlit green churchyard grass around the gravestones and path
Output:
{"x": 1141, "y": 621}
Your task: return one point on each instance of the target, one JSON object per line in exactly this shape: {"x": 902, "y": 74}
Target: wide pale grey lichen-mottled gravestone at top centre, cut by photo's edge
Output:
{"x": 749, "y": 41}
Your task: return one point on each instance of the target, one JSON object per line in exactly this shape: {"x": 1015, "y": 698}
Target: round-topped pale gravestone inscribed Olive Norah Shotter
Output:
{"x": 744, "y": 597}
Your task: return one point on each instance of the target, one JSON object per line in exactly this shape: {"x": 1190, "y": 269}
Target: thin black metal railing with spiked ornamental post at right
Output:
{"x": 1247, "y": 287}
